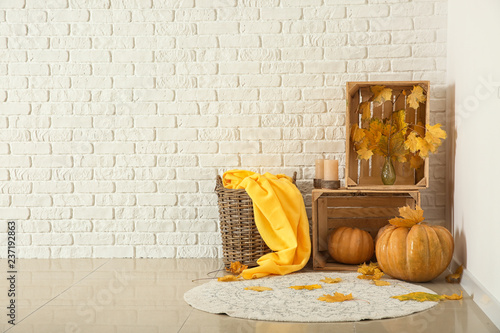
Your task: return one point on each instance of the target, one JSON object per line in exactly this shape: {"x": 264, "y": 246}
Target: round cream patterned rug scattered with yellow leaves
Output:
{"x": 285, "y": 304}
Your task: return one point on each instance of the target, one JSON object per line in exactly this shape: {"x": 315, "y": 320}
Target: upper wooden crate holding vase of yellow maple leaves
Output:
{"x": 365, "y": 174}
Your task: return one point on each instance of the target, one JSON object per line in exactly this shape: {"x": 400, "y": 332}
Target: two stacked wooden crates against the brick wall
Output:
{"x": 365, "y": 202}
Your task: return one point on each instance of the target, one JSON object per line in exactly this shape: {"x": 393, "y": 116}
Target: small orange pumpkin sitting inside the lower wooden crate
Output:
{"x": 350, "y": 245}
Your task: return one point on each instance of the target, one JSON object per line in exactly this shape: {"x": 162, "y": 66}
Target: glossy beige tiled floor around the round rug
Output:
{"x": 146, "y": 295}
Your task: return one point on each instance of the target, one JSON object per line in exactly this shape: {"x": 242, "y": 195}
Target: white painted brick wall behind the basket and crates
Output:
{"x": 116, "y": 115}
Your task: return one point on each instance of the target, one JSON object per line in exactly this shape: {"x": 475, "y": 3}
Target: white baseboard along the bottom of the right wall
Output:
{"x": 480, "y": 295}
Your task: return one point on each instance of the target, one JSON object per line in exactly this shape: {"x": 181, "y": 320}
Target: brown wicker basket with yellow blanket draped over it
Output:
{"x": 241, "y": 241}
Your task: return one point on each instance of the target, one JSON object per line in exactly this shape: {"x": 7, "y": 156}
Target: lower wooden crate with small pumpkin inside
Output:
{"x": 367, "y": 210}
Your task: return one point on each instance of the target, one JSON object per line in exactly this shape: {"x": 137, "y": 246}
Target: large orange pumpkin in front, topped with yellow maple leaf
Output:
{"x": 416, "y": 254}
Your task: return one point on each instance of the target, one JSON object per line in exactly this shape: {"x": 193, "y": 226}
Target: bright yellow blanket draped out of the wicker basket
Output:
{"x": 281, "y": 219}
